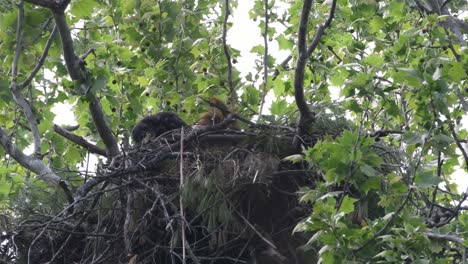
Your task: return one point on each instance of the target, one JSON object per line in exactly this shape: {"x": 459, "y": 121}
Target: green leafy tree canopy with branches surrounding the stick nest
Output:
{"x": 385, "y": 84}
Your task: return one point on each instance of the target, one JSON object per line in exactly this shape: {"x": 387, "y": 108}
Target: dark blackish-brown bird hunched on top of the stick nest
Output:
{"x": 155, "y": 125}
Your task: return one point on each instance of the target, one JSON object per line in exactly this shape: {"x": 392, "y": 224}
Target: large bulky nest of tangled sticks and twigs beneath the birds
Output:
{"x": 205, "y": 196}
